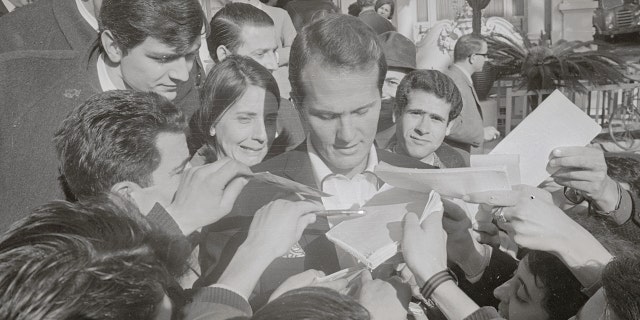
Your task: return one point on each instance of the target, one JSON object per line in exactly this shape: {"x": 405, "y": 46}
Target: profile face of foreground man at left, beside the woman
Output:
{"x": 174, "y": 158}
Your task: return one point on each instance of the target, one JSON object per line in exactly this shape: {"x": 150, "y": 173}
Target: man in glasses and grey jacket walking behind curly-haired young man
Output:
{"x": 467, "y": 131}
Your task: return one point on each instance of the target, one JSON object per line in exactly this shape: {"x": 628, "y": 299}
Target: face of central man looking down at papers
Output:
{"x": 341, "y": 109}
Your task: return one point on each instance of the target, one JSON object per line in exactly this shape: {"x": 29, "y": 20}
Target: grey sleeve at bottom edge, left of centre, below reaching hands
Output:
{"x": 216, "y": 303}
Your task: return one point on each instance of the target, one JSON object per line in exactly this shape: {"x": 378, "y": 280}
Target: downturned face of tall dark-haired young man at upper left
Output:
{"x": 154, "y": 66}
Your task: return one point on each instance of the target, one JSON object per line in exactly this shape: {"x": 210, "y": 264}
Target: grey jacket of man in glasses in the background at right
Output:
{"x": 467, "y": 129}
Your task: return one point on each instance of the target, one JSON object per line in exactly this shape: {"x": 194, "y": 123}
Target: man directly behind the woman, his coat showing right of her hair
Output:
{"x": 245, "y": 30}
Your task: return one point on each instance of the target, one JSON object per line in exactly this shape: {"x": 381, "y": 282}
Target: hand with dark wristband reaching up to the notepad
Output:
{"x": 424, "y": 245}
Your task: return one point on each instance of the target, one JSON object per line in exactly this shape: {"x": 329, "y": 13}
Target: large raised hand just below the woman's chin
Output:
{"x": 207, "y": 193}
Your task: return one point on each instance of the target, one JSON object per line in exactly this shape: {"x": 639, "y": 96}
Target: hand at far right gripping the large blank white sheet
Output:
{"x": 585, "y": 170}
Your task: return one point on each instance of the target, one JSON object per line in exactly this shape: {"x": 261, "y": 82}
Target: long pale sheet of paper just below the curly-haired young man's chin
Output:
{"x": 453, "y": 182}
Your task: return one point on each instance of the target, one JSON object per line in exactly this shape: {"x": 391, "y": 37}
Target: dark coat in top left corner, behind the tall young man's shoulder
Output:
{"x": 46, "y": 25}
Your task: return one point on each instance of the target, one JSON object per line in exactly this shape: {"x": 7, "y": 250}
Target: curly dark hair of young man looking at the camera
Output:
{"x": 430, "y": 81}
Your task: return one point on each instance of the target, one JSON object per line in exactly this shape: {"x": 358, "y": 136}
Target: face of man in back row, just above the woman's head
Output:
{"x": 259, "y": 43}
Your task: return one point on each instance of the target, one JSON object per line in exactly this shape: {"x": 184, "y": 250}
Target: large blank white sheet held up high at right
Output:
{"x": 556, "y": 122}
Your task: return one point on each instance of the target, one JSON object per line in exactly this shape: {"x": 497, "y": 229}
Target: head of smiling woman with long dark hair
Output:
{"x": 237, "y": 116}
